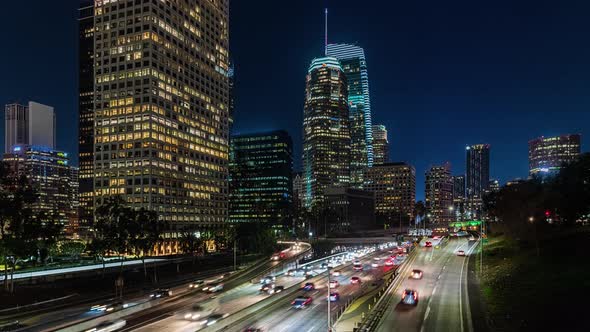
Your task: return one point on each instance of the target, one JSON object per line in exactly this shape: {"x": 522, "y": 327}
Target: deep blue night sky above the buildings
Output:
{"x": 442, "y": 74}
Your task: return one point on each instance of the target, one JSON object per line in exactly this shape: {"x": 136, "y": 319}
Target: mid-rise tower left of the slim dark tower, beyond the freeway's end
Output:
{"x": 439, "y": 194}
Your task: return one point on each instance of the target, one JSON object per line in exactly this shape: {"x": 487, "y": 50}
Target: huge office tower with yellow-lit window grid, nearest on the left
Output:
{"x": 162, "y": 107}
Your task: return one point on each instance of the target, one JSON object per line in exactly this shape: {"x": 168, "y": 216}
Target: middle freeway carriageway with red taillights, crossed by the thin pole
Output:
{"x": 282, "y": 317}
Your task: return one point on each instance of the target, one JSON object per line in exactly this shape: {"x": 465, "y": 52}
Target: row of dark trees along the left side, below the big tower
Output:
{"x": 28, "y": 238}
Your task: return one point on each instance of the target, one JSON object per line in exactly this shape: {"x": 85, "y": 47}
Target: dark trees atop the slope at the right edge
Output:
{"x": 526, "y": 211}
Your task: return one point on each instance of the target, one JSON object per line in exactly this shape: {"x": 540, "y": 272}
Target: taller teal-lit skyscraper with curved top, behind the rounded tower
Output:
{"x": 354, "y": 65}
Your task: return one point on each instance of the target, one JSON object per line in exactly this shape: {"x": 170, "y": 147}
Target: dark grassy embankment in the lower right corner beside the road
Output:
{"x": 526, "y": 292}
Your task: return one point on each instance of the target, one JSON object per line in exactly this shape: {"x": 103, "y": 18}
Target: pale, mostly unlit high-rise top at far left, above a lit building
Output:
{"x": 33, "y": 124}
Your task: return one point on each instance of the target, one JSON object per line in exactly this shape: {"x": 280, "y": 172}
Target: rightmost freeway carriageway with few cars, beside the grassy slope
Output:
{"x": 443, "y": 304}
